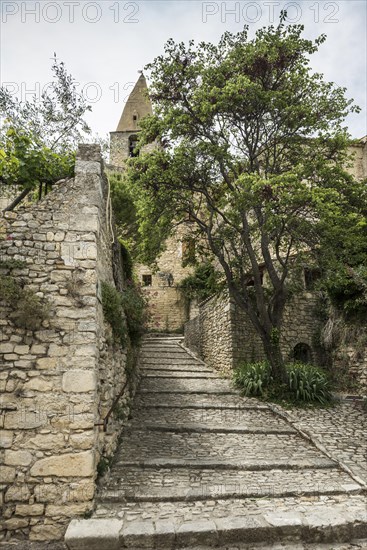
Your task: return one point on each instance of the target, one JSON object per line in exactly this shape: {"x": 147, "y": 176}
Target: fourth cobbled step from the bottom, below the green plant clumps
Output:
{"x": 231, "y": 418}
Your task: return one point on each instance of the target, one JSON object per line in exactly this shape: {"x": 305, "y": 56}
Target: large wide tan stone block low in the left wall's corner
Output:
{"x": 65, "y": 465}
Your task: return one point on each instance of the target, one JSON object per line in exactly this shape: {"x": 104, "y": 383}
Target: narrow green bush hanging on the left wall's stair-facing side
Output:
{"x": 114, "y": 312}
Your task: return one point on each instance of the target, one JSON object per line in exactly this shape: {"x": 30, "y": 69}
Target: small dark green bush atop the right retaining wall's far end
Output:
{"x": 203, "y": 283}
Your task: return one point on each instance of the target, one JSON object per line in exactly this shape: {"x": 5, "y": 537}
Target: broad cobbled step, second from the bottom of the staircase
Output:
{"x": 136, "y": 484}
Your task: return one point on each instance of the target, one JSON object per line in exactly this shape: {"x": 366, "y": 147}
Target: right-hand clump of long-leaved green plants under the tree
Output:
{"x": 308, "y": 383}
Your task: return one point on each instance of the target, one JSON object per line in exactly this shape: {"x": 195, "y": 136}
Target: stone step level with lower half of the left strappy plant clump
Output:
{"x": 186, "y": 385}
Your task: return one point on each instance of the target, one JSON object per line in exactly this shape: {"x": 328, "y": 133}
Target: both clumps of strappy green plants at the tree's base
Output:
{"x": 304, "y": 383}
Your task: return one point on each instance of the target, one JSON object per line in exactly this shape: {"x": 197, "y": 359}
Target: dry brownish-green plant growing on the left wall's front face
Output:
{"x": 28, "y": 310}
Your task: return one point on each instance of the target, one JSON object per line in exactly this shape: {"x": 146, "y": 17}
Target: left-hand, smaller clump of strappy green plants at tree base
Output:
{"x": 253, "y": 378}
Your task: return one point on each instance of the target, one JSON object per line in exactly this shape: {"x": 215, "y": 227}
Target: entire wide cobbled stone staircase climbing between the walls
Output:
{"x": 199, "y": 467}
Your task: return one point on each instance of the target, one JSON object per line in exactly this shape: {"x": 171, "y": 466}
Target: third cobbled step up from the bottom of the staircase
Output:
{"x": 140, "y": 445}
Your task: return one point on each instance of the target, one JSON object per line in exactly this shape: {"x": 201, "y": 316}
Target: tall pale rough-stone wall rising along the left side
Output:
{"x": 58, "y": 382}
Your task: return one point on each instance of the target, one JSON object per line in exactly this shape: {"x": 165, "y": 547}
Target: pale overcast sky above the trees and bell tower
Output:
{"x": 105, "y": 43}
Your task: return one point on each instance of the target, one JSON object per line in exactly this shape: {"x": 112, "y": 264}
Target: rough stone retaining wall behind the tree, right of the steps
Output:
{"x": 223, "y": 337}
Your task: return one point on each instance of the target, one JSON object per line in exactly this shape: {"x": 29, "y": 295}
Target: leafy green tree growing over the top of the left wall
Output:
{"x": 38, "y": 137}
